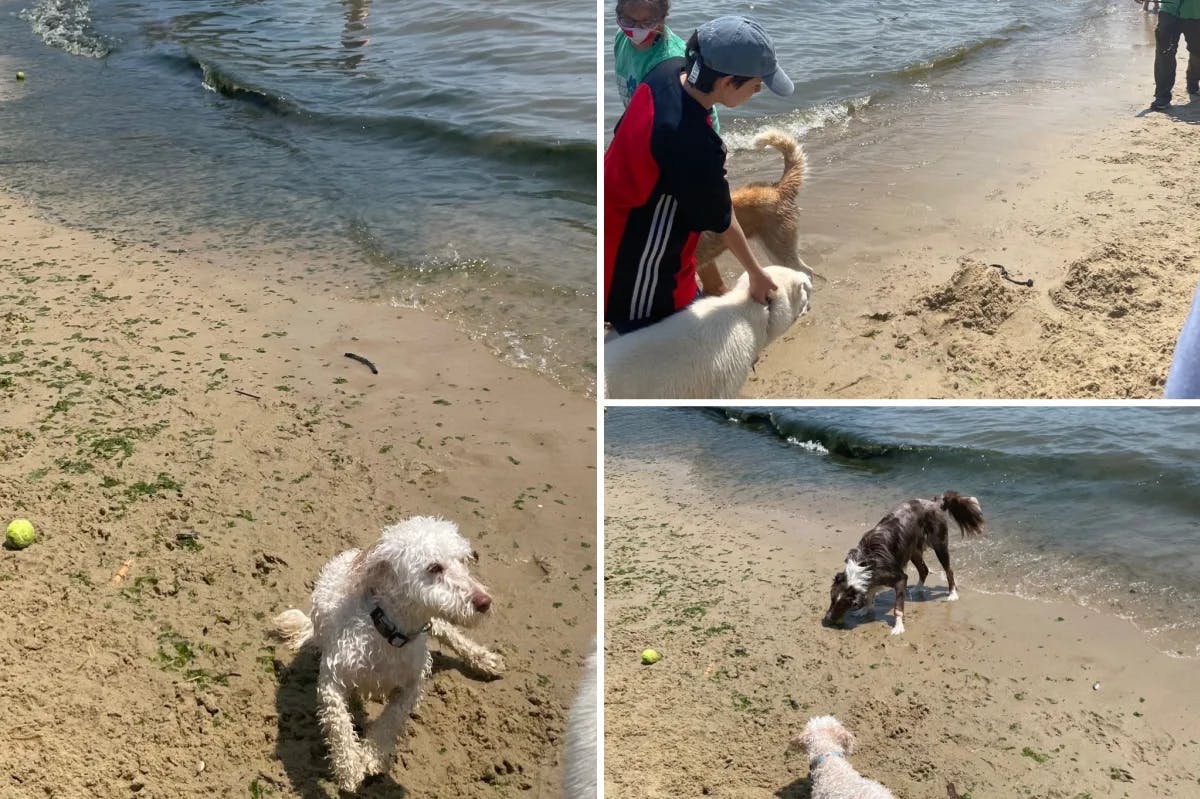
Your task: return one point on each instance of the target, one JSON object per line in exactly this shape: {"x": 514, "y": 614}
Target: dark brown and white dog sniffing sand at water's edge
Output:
{"x": 883, "y": 556}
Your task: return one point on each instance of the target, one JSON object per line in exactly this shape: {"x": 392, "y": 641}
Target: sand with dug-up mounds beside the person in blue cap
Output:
{"x": 1105, "y": 224}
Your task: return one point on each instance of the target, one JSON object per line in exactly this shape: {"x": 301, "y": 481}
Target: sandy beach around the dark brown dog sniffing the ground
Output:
{"x": 994, "y": 694}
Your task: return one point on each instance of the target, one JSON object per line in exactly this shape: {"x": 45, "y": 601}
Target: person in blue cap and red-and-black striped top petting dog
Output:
{"x": 664, "y": 173}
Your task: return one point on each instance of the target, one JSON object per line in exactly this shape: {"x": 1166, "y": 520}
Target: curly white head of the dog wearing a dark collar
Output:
{"x": 424, "y": 563}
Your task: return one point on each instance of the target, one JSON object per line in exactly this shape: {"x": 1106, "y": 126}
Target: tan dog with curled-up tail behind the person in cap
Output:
{"x": 766, "y": 212}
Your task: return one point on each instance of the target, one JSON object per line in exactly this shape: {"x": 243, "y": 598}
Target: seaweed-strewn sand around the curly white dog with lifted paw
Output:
{"x": 122, "y": 431}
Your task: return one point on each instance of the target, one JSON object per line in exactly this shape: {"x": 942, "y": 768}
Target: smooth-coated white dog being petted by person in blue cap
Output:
{"x": 706, "y": 351}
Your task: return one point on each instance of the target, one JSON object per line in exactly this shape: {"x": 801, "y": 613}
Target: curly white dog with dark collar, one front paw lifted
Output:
{"x": 373, "y": 611}
